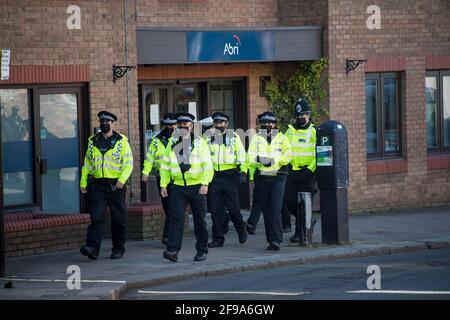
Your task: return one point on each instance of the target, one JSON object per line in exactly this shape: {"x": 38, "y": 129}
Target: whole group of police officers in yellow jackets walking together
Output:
{"x": 205, "y": 172}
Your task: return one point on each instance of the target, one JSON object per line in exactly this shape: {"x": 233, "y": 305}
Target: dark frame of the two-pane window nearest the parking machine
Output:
{"x": 380, "y": 114}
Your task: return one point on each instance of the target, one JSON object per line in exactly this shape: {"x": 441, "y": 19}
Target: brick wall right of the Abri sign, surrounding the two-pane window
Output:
{"x": 411, "y": 30}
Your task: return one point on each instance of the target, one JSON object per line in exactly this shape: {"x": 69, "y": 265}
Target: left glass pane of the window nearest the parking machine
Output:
{"x": 371, "y": 116}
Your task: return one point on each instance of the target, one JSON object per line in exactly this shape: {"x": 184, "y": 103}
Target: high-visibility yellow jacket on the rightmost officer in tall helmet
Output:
{"x": 303, "y": 142}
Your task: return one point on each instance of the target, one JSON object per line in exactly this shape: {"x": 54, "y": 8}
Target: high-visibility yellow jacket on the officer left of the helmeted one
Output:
{"x": 279, "y": 150}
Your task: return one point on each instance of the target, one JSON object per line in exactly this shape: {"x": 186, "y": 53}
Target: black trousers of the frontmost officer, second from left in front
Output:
{"x": 179, "y": 198}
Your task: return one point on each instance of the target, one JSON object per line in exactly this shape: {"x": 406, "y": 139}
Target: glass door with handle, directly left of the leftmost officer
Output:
{"x": 58, "y": 149}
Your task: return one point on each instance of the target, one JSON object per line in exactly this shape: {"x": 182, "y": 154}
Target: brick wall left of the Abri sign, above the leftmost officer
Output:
{"x": 37, "y": 35}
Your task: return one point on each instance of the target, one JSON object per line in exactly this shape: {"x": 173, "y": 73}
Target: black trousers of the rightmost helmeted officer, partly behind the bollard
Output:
{"x": 296, "y": 182}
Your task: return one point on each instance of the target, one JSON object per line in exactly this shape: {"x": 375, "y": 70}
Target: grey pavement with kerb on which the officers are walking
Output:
{"x": 45, "y": 276}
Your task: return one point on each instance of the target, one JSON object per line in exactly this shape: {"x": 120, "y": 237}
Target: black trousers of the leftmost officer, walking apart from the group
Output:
{"x": 102, "y": 195}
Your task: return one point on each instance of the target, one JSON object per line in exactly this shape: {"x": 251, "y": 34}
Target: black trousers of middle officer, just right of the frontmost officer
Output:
{"x": 224, "y": 192}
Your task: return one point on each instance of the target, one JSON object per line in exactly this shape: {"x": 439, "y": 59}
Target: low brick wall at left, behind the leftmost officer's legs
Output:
{"x": 30, "y": 233}
